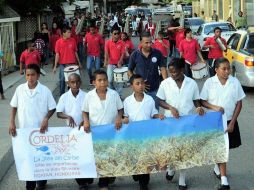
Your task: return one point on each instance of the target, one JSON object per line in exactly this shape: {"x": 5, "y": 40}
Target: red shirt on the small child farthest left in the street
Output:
{"x": 30, "y": 57}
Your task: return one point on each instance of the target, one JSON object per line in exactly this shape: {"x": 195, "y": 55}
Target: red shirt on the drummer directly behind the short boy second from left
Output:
{"x": 66, "y": 49}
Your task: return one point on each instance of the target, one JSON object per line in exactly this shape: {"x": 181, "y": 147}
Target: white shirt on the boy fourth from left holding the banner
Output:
{"x": 138, "y": 111}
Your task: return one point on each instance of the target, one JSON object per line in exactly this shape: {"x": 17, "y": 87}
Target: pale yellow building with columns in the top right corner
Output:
{"x": 225, "y": 9}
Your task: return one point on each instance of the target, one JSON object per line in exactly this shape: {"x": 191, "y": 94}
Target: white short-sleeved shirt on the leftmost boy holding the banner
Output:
{"x": 32, "y": 108}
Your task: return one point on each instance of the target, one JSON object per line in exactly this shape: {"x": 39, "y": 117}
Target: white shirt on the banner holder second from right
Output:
{"x": 181, "y": 99}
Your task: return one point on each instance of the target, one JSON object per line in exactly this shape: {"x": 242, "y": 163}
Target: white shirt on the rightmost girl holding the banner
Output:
{"x": 225, "y": 96}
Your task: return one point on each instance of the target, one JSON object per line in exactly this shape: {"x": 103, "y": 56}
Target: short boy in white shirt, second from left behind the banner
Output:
{"x": 69, "y": 107}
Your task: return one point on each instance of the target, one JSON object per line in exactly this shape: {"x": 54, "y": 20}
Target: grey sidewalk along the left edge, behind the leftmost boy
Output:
{"x": 10, "y": 82}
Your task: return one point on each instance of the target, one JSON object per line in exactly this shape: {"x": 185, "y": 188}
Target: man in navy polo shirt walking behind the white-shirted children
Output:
{"x": 146, "y": 61}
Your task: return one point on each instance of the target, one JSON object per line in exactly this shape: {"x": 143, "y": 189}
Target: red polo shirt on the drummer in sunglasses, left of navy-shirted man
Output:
{"x": 114, "y": 50}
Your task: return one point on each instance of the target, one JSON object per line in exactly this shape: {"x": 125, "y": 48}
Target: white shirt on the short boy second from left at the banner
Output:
{"x": 71, "y": 105}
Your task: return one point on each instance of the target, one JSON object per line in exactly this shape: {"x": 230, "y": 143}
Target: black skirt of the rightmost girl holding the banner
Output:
{"x": 234, "y": 137}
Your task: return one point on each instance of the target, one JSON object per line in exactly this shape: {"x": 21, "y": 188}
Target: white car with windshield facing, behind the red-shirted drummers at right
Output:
{"x": 207, "y": 30}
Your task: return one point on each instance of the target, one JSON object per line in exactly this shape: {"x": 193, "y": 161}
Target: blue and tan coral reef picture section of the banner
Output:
{"x": 150, "y": 146}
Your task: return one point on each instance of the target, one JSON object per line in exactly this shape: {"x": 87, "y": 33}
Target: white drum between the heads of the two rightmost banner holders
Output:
{"x": 199, "y": 70}
